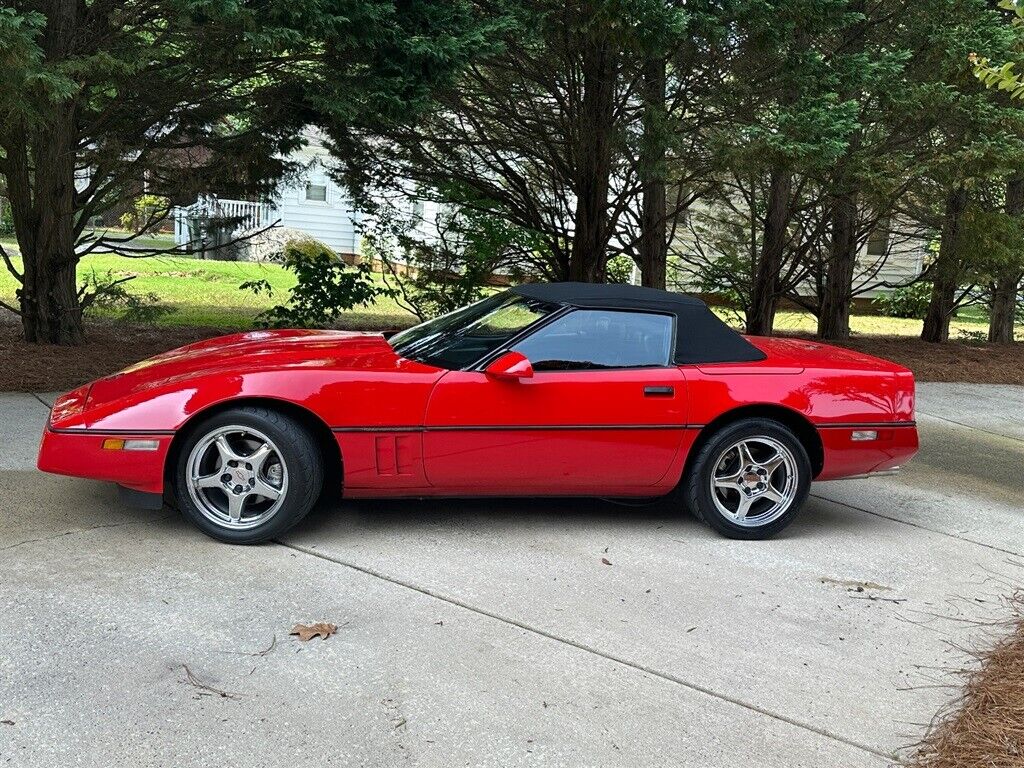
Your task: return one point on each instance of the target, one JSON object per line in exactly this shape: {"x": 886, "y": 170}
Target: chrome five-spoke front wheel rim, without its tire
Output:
{"x": 238, "y": 478}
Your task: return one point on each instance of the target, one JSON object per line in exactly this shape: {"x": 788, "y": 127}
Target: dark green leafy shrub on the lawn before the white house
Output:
{"x": 326, "y": 288}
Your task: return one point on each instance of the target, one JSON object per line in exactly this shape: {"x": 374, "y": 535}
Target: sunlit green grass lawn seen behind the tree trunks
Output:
{"x": 206, "y": 293}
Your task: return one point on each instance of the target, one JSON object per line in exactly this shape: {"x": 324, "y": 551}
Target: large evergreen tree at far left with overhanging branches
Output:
{"x": 99, "y": 97}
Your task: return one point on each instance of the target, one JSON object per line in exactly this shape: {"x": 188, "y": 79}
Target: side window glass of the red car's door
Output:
{"x": 589, "y": 339}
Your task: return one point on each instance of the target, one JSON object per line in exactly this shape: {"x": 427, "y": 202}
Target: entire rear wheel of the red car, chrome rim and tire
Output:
{"x": 749, "y": 480}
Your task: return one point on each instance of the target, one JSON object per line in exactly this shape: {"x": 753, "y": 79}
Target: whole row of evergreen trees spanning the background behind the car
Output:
{"x": 752, "y": 149}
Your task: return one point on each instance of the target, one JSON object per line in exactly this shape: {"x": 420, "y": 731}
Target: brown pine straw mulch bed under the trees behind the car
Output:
{"x": 112, "y": 347}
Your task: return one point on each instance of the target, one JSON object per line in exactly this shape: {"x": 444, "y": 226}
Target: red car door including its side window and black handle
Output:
{"x": 604, "y": 412}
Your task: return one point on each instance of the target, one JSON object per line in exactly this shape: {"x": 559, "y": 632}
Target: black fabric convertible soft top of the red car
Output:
{"x": 701, "y": 336}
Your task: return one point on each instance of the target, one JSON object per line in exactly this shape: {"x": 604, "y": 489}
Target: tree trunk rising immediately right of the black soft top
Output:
{"x": 764, "y": 292}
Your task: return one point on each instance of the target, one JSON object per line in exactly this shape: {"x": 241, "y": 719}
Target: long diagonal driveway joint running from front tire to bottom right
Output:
{"x": 697, "y": 688}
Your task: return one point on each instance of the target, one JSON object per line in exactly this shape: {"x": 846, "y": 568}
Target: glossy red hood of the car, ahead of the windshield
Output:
{"x": 257, "y": 351}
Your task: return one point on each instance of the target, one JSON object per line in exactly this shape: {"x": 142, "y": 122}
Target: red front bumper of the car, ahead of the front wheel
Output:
{"x": 80, "y": 453}
